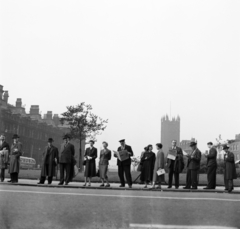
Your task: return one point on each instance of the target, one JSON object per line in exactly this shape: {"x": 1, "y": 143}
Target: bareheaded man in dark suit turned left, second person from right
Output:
{"x": 211, "y": 166}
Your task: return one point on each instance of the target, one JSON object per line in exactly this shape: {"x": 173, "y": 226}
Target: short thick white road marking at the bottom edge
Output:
{"x": 161, "y": 226}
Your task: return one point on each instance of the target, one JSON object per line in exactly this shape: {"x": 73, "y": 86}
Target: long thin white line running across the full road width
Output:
{"x": 119, "y": 196}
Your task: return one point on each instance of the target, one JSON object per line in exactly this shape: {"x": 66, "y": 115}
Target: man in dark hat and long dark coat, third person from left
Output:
{"x": 49, "y": 162}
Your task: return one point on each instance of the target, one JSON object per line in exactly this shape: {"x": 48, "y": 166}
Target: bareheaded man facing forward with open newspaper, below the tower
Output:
{"x": 175, "y": 166}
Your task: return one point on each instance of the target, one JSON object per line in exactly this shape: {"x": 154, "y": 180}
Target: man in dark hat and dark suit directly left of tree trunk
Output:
{"x": 66, "y": 160}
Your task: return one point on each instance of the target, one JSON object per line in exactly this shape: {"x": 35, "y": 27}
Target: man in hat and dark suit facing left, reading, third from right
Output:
{"x": 193, "y": 166}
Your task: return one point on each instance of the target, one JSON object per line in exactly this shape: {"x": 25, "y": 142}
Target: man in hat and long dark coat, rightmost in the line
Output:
{"x": 229, "y": 169}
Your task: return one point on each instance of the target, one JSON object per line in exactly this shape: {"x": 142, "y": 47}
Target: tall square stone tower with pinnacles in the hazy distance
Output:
{"x": 170, "y": 130}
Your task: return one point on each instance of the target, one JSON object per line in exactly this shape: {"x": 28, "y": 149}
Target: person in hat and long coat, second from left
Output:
{"x": 16, "y": 152}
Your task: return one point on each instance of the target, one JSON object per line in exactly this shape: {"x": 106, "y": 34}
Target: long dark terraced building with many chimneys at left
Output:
{"x": 32, "y": 128}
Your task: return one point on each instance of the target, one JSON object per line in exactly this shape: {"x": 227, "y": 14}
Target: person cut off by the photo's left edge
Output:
{"x": 4, "y": 156}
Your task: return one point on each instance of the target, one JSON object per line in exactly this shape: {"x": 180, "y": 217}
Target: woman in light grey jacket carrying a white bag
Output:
{"x": 159, "y": 164}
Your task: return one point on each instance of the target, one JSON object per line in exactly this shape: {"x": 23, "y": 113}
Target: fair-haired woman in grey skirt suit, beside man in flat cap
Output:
{"x": 105, "y": 156}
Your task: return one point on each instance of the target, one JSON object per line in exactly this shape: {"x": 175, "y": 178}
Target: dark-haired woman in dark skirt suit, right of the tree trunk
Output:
{"x": 90, "y": 169}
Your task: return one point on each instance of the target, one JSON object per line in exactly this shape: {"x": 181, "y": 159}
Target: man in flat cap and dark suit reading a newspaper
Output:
{"x": 125, "y": 166}
